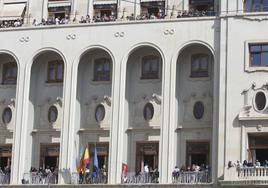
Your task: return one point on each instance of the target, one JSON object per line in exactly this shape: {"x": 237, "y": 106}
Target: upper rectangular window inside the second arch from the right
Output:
{"x": 150, "y": 67}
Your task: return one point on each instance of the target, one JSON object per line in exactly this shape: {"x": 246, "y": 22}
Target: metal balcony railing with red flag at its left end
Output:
{"x": 140, "y": 178}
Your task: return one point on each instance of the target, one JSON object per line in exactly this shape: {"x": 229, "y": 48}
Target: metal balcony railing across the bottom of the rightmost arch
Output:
{"x": 191, "y": 177}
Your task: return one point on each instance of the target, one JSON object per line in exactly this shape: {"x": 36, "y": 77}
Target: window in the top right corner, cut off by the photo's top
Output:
{"x": 255, "y": 5}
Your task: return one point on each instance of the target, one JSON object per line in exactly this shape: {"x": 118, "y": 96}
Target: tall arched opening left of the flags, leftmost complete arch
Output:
{"x": 45, "y": 114}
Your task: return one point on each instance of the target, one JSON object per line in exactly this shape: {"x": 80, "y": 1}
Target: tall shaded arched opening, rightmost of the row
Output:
{"x": 194, "y": 109}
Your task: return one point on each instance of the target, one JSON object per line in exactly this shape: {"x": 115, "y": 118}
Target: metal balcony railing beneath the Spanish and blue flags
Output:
{"x": 89, "y": 178}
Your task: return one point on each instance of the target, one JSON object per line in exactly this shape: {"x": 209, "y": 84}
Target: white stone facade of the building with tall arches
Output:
{"x": 230, "y": 120}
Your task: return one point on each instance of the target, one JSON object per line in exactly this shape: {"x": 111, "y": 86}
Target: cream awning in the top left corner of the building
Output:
{"x": 12, "y": 11}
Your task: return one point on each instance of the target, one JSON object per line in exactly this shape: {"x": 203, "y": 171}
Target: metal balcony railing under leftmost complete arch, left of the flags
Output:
{"x": 35, "y": 178}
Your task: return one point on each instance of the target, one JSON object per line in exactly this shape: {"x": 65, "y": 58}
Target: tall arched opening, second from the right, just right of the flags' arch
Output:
{"x": 142, "y": 116}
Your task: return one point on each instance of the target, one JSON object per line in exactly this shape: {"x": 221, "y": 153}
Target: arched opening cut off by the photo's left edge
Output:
{"x": 8, "y": 84}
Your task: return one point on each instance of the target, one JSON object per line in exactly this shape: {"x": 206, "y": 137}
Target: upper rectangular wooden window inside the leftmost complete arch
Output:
{"x": 55, "y": 71}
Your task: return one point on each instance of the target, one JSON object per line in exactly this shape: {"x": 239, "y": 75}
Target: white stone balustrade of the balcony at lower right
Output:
{"x": 256, "y": 173}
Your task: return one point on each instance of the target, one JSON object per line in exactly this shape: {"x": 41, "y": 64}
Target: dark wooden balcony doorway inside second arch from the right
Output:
{"x": 147, "y": 154}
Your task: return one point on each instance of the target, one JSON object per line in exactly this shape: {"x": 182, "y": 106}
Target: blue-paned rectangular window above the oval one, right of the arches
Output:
{"x": 258, "y": 55}
